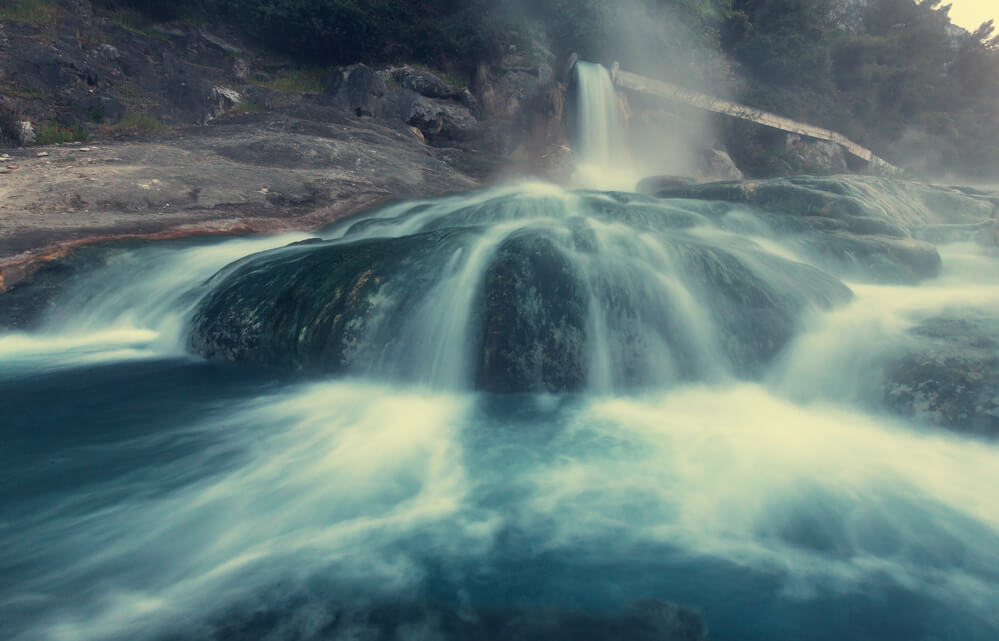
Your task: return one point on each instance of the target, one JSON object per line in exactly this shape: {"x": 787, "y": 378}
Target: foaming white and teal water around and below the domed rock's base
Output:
{"x": 786, "y": 485}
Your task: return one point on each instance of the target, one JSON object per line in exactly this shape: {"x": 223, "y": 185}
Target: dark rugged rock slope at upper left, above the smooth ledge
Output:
{"x": 59, "y": 76}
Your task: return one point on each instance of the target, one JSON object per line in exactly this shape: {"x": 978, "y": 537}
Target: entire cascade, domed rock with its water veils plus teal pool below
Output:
{"x": 524, "y": 407}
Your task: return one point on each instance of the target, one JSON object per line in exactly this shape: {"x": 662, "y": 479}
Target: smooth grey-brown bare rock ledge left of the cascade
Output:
{"x": 297, "y": 167}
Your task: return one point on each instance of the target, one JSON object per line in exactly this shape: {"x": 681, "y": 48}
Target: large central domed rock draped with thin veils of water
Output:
{"x": 350, "y": 306}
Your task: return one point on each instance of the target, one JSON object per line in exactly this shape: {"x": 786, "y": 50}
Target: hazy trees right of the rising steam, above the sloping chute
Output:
{"x": 893, "y": 74}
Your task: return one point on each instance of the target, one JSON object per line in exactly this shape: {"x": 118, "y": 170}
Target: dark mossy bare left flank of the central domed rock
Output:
{"x": 312, "y": 307}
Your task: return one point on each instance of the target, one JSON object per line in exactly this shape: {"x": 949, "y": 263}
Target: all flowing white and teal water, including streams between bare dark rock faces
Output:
{"x": 148, "y": 494}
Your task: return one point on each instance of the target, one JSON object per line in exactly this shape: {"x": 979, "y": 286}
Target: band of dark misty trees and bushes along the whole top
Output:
{"x": 894, "y": 75}
